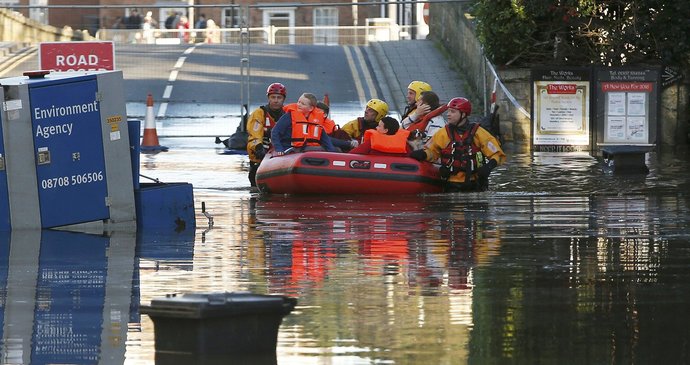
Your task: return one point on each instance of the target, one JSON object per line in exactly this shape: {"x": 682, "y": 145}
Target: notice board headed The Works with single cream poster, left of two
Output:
{"x": 561, "y": 109}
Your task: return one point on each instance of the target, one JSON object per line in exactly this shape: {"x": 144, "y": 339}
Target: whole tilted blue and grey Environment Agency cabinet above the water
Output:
{"x": 66, "y": 151}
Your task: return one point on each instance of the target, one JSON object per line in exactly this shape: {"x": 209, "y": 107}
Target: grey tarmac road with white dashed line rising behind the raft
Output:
{"x": 200, "y": 80}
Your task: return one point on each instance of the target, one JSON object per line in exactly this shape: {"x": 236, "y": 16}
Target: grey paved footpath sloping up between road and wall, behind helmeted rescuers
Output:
{"x": 401, "y": 62}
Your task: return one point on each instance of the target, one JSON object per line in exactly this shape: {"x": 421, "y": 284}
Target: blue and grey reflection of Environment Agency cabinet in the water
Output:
{"x": 68, "y": 297}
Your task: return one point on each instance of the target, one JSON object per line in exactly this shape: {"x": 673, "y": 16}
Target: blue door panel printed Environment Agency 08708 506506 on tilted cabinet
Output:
{"x": 70, "y": 167}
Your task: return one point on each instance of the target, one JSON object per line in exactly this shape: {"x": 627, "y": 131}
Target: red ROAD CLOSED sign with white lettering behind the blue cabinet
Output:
{"x": 76, "y": 56}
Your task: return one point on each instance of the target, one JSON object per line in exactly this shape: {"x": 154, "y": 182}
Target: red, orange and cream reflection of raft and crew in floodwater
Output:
{"x": 373, "y": 276}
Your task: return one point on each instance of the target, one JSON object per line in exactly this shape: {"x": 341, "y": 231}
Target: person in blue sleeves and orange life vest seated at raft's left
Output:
{"x": 301, "y": 127}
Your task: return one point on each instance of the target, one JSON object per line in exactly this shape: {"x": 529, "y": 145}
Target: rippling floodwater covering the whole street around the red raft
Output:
{"x": 560, "y": 262}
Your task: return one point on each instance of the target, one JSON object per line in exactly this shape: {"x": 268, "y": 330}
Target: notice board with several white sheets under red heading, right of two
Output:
{"x": 627, "y": 105}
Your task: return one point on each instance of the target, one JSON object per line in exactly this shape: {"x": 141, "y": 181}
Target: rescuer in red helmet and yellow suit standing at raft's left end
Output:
{"x": 259, "y": 126}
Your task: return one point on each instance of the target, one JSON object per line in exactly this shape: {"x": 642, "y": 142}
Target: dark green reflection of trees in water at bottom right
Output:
{"x": 609, "y": 291}
